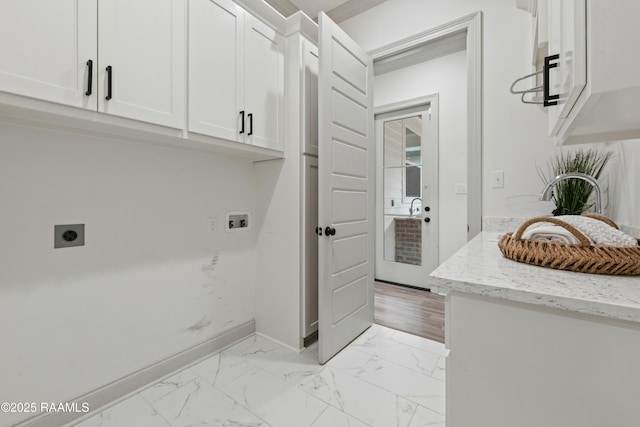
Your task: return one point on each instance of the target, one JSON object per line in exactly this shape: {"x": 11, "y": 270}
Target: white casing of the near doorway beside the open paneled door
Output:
{"x": 472, "y": 25}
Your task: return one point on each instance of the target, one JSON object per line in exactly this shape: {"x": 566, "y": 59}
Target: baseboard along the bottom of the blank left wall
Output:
{"x": 105, "y": 395}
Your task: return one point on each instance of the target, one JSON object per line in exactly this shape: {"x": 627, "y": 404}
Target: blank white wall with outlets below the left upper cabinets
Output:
{"x": 150, "y": 281}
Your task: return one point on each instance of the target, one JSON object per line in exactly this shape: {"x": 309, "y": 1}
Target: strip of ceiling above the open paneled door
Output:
{"x": 338, "y": 10}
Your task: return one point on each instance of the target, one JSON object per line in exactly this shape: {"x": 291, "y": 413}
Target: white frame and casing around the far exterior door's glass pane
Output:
{"x": 412, "y": 275}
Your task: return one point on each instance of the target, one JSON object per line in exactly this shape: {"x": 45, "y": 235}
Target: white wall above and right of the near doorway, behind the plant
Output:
{"x": 514, "y": 134}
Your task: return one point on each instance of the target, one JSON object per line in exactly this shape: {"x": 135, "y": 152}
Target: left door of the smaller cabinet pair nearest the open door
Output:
{"x": 216, "y": 68}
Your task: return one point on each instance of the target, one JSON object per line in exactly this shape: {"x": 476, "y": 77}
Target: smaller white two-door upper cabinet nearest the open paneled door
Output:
{"x": 236, "y": 75}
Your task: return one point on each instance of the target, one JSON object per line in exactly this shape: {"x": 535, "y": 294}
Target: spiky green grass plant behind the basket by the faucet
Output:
{"x": 571, "y": 196}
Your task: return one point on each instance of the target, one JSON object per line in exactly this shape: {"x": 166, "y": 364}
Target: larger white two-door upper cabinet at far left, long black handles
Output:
{"x": 120, "y": 57}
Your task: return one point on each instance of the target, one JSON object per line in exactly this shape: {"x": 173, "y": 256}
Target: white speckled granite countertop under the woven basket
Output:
{"x": 479, "y": 268}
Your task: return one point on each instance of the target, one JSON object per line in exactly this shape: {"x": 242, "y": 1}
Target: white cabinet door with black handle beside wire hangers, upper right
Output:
{"x": 567, "y": 38}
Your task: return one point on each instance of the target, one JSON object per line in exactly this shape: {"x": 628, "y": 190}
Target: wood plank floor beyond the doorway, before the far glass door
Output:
{"x": 415, "y": 311}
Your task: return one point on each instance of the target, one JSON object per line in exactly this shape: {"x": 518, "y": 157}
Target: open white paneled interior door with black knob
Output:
{"x": 345, "y": 190}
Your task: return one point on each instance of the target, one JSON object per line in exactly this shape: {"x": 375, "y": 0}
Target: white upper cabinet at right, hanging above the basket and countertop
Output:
{"x": 595, "y": 77}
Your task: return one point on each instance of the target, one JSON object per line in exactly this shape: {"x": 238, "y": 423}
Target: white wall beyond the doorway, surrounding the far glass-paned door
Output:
{"x": 447, "y": 77}
